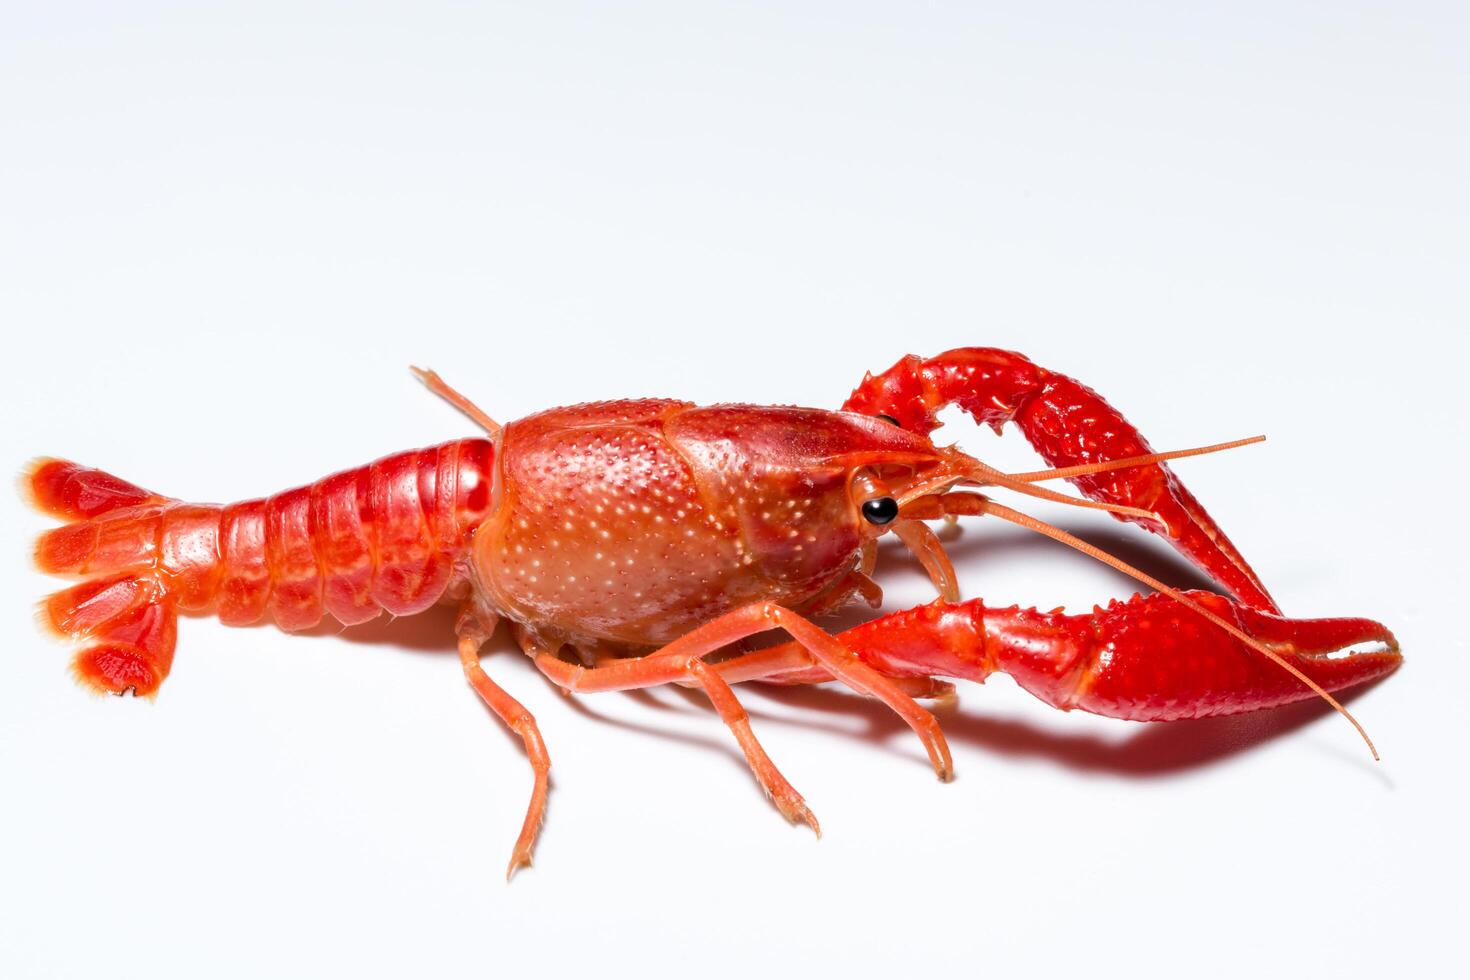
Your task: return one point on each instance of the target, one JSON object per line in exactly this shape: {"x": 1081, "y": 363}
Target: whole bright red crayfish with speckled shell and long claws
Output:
{"x": 637, "y": 543}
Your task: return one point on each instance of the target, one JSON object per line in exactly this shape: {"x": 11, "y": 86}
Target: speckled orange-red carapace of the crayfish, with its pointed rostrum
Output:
{"x": 639, "y": 521}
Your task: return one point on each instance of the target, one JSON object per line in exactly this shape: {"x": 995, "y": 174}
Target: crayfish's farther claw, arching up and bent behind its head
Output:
{"x": 1069, "y": 425}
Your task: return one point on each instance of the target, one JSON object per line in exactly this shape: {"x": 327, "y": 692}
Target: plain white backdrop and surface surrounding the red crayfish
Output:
{"x": 226, "y": 230}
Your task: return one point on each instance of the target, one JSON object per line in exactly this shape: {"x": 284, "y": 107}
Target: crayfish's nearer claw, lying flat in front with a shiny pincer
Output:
{"x": 1149, "y": 659}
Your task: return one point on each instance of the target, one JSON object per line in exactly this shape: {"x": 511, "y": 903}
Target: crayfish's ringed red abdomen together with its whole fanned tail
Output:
{"x": 384, "y": 537}
